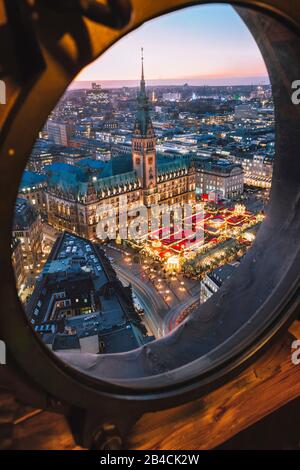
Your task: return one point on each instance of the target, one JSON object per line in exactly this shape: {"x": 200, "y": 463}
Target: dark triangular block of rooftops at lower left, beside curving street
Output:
{"x": 78, "y": 291}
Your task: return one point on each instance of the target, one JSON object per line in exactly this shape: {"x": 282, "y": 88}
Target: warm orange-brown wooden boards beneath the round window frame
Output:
{"x": 203, "y": 424}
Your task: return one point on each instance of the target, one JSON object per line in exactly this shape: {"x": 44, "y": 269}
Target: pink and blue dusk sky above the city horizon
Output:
{"x": 200, "y": 45}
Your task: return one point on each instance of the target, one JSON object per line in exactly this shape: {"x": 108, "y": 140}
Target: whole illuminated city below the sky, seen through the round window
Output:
{"x": 144, "y": 209}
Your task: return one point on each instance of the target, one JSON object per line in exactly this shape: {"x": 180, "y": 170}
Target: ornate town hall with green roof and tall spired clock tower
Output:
{"x": 77, "y": 194}
